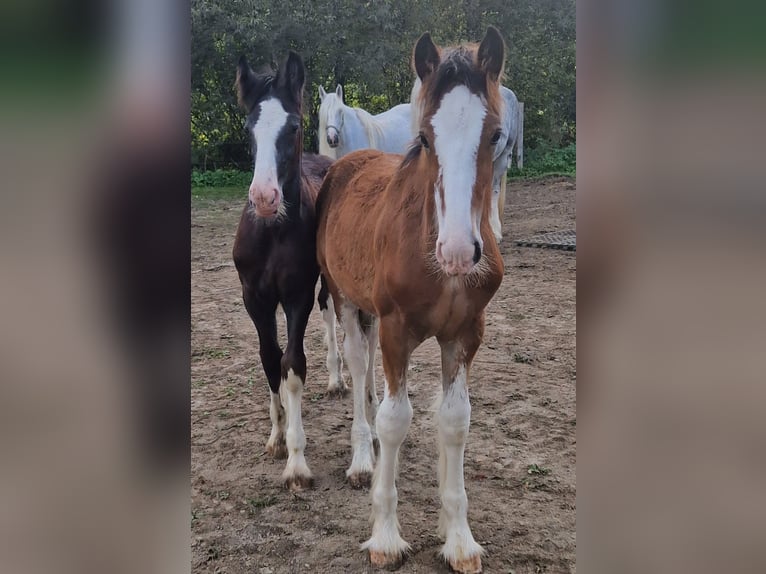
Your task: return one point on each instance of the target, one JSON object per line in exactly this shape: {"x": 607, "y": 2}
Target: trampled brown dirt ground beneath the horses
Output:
{"x": 520, "y": 456}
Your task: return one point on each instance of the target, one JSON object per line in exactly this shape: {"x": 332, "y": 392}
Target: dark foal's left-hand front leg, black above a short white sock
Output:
{"x": 271, "y": 359}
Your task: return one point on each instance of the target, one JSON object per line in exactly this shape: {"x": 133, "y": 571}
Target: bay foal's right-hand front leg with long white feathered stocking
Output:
{"x": 460, "y": 549}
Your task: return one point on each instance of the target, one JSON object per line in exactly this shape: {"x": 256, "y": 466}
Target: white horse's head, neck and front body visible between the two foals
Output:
{"x": 343, "y": 129}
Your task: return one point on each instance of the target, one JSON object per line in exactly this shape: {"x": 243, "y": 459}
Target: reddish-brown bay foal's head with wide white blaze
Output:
{"x": 458, "y": 131}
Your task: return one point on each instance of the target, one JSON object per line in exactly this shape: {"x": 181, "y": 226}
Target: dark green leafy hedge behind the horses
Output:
{"x": 366, "y": 47}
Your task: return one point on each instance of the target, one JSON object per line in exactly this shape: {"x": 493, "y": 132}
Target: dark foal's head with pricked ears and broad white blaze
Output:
{"x": 273, "y": 104}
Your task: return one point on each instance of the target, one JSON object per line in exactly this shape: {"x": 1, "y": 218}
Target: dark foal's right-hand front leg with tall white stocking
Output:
{"x": 296, "y": 475}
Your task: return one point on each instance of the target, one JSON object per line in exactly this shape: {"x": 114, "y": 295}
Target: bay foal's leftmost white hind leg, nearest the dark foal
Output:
{"x": 355, "y": 348}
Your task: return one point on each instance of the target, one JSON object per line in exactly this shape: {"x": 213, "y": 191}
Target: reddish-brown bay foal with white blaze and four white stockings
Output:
{"x": 406, "y": 244}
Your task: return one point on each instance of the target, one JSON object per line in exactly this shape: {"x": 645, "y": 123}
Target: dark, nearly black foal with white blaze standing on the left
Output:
{"x": 275, "y": 251}
